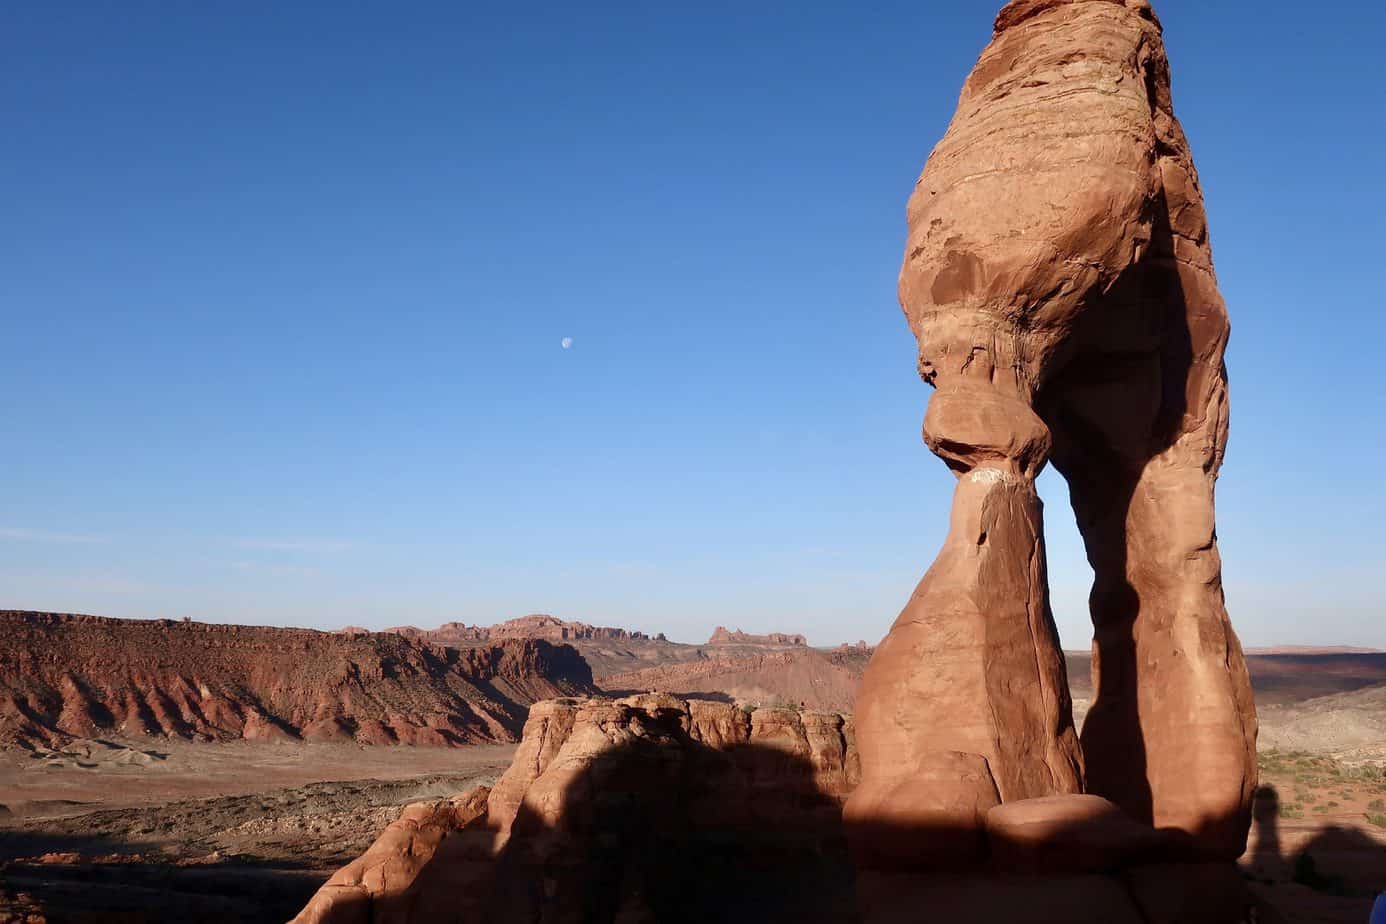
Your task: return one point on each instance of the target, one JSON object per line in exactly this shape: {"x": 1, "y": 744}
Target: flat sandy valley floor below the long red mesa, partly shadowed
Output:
{"x": 175, "y": 832}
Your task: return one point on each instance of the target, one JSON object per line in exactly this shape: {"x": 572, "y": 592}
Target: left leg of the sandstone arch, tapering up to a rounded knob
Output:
{"x": 990, "y": 720}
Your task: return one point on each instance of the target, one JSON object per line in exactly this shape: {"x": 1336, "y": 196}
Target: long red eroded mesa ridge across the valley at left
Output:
{"x": 64, "y": 677}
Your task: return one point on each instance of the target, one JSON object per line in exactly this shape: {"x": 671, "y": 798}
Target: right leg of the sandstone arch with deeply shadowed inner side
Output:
{"x": 1140, "y": 426}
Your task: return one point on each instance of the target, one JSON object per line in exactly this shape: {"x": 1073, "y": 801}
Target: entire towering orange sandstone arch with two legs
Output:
{"x": 1060, "y": 281}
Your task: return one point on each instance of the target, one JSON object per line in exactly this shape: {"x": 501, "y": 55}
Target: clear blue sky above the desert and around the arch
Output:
{"x": 285, "y": 289}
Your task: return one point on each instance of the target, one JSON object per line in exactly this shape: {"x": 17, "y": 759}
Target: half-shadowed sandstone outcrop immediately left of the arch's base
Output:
{"x": 642, "y": 810}
